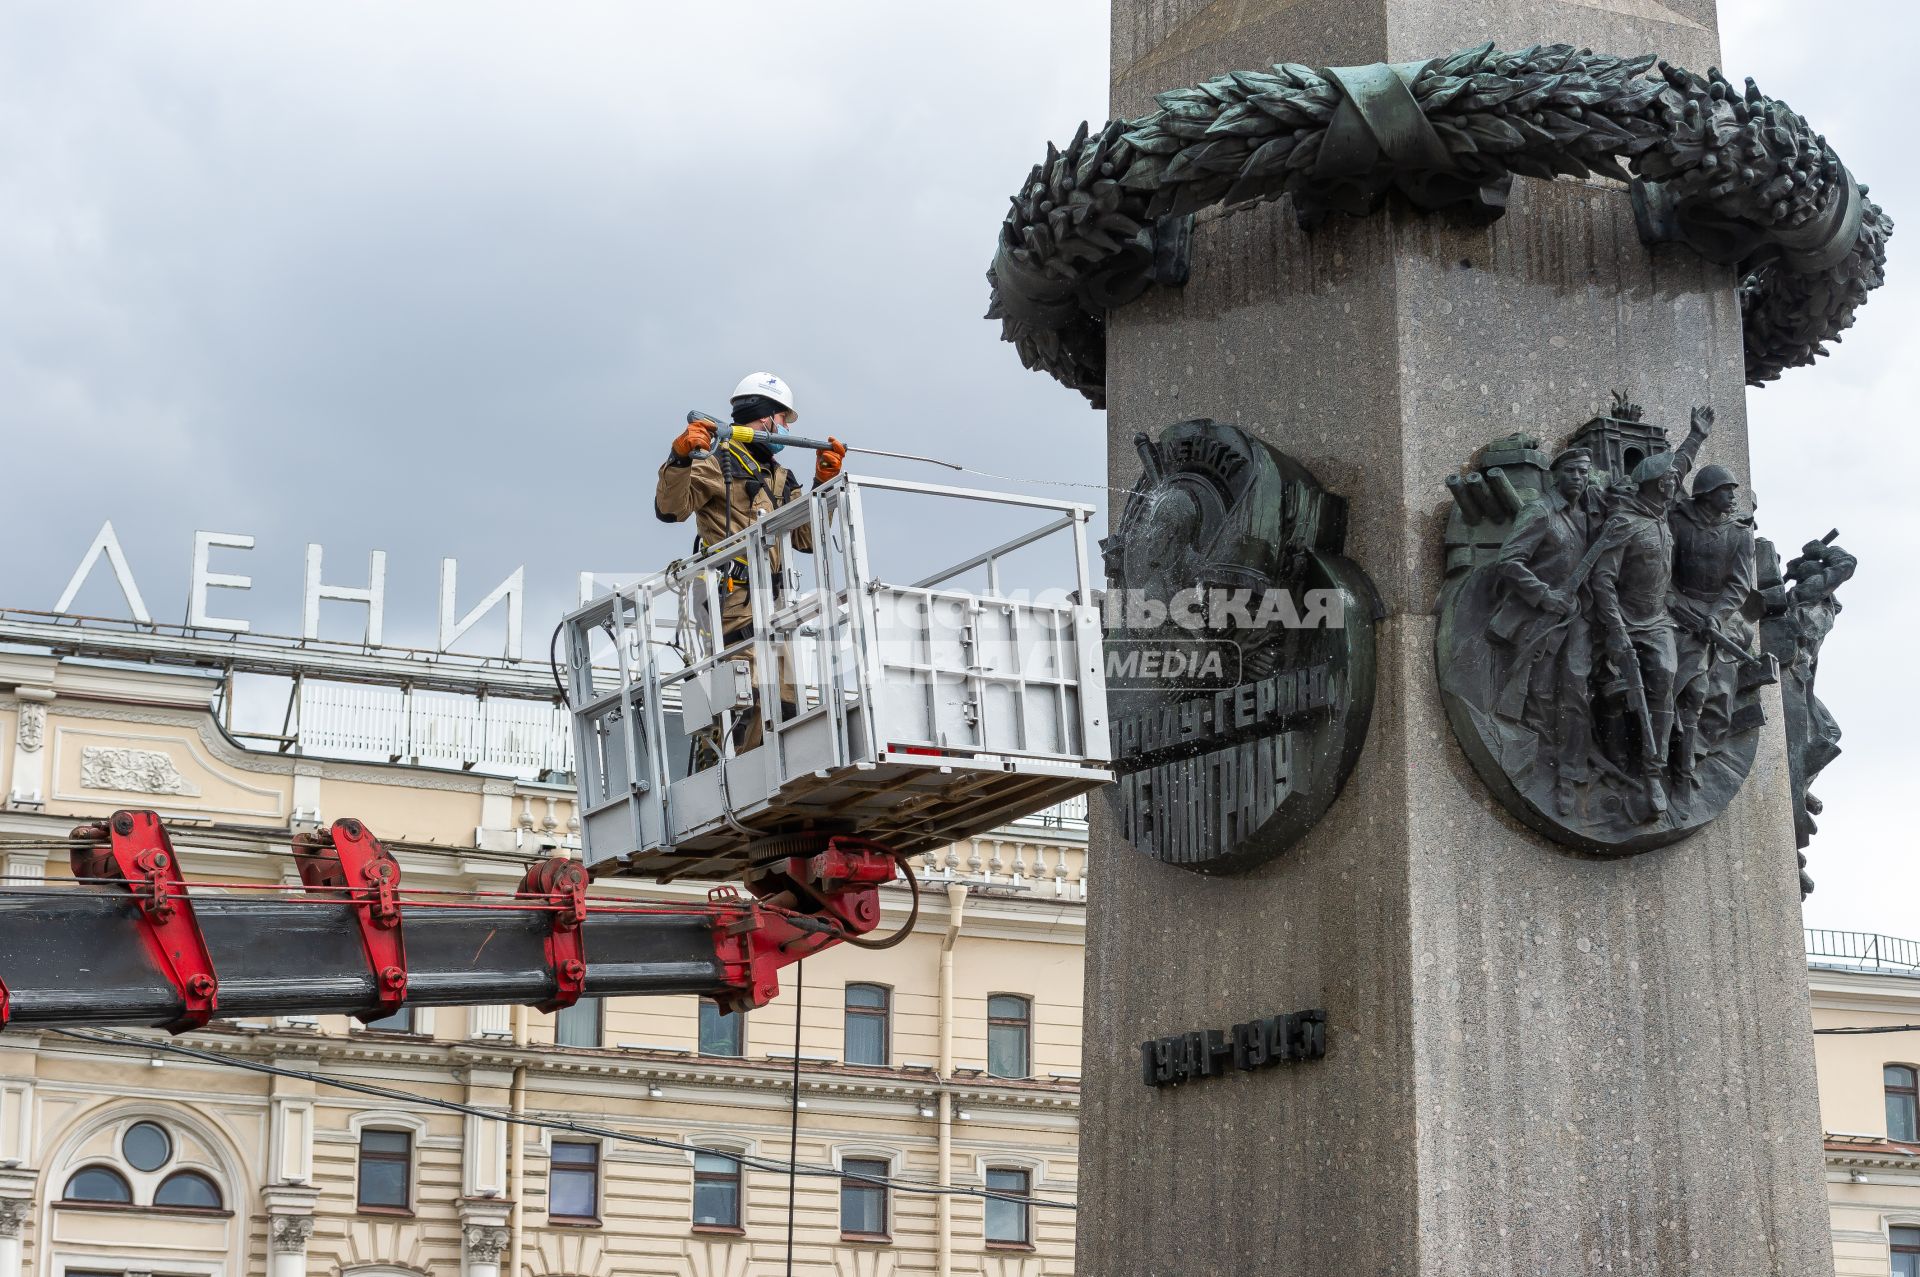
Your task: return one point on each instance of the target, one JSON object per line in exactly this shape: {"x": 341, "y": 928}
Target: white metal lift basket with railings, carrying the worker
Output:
{"x": 911, "y": 715}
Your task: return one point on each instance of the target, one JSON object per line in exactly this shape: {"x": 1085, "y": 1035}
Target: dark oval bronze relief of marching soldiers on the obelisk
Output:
{"x": 1598, "y": 640}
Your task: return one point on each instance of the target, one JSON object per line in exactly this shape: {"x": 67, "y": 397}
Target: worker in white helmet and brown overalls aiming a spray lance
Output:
{"x": 727, "y": 489}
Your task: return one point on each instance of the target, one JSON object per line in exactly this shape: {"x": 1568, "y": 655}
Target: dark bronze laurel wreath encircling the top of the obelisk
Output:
{"x": 1737, "y": 176}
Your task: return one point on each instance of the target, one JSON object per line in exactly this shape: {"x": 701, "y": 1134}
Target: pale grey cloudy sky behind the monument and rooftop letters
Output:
{"x": 441, "y": 279}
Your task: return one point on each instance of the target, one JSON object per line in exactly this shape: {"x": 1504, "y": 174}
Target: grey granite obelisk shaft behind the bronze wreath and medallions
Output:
{"x": 1537, "y": 1063}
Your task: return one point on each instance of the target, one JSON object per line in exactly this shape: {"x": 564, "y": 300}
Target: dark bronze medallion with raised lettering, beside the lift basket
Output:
{"x": 1228, "y": 564}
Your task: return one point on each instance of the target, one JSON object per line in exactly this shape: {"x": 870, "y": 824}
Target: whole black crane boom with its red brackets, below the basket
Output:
{"x": 132, "y": 946}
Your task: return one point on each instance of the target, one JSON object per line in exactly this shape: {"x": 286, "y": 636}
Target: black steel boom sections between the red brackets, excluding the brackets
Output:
{"x": 84, "y": 957}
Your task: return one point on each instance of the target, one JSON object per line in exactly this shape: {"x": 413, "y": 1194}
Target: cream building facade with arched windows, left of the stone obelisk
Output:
{"x": 926, "y": 1074}
